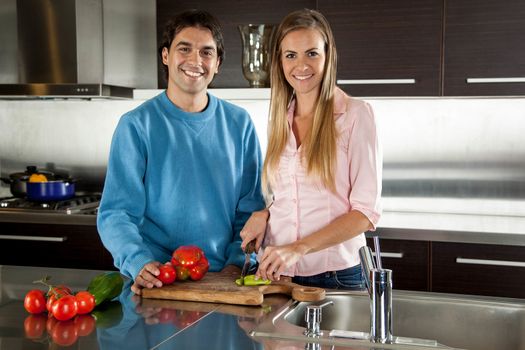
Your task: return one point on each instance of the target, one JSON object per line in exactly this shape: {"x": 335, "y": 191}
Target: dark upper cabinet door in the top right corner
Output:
{"x": 484, "y": 40}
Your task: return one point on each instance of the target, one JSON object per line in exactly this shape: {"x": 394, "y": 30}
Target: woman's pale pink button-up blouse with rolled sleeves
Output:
{"x": 301, "y": 206}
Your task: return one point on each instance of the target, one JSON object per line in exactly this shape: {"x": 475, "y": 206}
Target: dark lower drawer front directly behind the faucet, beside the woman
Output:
{"x": 408, "y": 261}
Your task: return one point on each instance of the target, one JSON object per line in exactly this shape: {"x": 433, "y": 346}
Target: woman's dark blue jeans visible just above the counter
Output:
{"x": 349, "y": 279}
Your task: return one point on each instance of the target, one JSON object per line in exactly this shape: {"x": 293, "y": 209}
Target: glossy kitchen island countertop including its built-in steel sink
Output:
{"x": 130, "y": 322}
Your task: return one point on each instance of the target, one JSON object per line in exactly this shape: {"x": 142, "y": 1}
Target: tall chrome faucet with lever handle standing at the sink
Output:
{"x": 379, "y": 284}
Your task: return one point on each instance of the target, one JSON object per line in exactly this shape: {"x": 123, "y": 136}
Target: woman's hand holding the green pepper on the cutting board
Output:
{"x": 276, "y": 259}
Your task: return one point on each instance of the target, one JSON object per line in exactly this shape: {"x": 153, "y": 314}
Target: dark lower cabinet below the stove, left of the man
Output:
{"x": 69, "y": 246}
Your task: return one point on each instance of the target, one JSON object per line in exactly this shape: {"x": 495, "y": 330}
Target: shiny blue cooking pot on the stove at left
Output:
{"x": 54, "y": 190}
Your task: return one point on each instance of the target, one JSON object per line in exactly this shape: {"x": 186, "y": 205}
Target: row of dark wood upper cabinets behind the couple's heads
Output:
{"x": 437, "y": 44}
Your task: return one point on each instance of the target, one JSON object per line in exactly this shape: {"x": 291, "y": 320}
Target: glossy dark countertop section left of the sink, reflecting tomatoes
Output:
{"x": 133, "y": 323}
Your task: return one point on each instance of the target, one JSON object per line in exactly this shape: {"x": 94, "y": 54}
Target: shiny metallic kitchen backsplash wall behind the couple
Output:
{"x": 460, "y": 148}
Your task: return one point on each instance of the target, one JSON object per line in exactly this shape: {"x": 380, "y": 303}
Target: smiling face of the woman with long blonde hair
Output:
{"x": 303, "y": 57}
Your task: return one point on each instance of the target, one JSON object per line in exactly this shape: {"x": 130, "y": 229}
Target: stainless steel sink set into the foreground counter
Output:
{"x": 455, "y": 321}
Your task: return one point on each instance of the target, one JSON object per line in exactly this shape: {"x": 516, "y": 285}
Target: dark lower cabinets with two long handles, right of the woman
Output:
{"x": 451, "y": 267}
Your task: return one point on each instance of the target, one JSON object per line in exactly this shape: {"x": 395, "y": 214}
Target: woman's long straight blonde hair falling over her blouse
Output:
{"x": 320, "y": 143}
